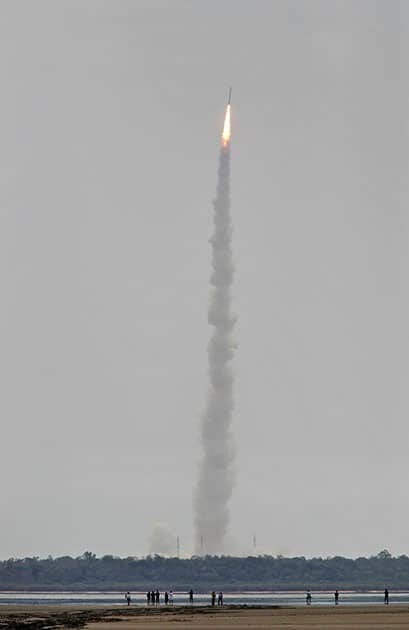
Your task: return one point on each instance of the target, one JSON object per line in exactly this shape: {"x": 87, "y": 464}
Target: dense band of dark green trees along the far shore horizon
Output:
{"x": 207, "y": 573}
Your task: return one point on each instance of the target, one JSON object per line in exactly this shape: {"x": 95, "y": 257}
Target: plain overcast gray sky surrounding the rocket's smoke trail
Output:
{"x": 110, "y": 118}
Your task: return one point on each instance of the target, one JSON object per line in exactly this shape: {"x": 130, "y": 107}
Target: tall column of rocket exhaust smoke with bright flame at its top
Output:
{"x": 215, "y": 482}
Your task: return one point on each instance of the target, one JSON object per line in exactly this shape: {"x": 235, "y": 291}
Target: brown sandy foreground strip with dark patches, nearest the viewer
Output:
{"x": 227, "y": 618}
